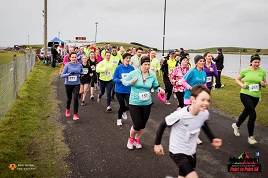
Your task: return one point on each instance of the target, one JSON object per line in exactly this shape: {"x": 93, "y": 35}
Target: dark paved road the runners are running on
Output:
{"x": 98, "y": 145}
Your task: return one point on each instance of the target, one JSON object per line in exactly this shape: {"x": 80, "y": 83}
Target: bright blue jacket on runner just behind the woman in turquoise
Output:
{"x": 121, "y": 72}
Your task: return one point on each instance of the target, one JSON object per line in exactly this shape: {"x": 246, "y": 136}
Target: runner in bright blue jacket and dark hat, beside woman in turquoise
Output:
{"x": 122, "y": 92}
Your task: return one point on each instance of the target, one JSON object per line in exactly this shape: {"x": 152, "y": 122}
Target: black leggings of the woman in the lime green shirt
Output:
{"x": 249, "y": 103}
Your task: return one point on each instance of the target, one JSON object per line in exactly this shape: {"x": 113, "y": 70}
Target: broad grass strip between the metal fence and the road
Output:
{"x": 31, "y": 133}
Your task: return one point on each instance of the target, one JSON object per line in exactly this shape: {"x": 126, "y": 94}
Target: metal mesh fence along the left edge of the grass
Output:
{"x": 12, "y": 76}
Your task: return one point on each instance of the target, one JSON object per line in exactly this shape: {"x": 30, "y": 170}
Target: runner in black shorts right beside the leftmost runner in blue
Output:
{"x": 85, "y": 78}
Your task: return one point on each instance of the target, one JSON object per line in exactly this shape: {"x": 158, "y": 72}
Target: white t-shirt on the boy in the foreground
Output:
{"x": 185, "y": 130}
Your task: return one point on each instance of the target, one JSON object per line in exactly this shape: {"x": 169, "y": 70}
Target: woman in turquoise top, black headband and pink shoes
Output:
{"x": 141, "y": 82}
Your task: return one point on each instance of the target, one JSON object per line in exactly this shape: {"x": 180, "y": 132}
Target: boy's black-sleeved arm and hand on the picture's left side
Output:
{"x": 158, "y": 148}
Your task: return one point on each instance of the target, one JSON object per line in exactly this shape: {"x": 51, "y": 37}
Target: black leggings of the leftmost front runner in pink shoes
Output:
{"x": 70, "y": 91}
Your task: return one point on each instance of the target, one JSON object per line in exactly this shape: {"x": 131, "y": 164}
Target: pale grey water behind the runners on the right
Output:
{"x": 233, "y": 63}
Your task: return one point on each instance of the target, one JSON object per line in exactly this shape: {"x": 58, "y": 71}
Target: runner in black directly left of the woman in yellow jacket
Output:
{"x": 93, "y": 83}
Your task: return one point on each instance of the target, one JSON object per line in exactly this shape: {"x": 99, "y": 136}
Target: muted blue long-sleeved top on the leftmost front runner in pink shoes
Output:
{"x": 72, "y": 79}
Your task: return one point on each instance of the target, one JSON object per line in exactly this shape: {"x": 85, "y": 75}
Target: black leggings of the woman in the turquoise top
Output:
{"x": 139, "y": 116}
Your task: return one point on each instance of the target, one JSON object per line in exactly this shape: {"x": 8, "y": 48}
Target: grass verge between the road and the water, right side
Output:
{"x": 227, "y": 100}
